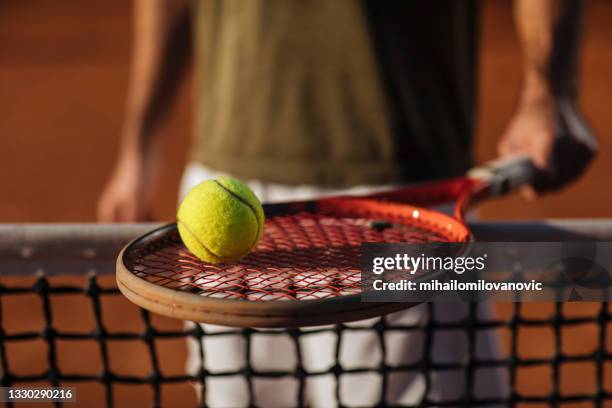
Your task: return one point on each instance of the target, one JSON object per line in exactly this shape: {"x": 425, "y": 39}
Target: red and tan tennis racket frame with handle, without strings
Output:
{"x": 493, "y": 179}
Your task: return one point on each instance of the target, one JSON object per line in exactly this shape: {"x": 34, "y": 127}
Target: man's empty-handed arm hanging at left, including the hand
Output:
{"x": 160, "y": 51}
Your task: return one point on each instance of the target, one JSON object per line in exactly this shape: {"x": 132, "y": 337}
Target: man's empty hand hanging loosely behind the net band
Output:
{"x": 128, "y": 196}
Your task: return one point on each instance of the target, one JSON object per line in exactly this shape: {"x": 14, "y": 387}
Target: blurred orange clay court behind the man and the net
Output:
{"x": 63, "y": 77}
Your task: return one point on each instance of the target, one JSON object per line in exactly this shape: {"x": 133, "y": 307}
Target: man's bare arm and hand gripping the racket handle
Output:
{"x": 547, "y": 125}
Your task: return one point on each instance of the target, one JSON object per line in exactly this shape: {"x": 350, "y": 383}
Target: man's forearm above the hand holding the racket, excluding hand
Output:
{"x": 549, "y": 31}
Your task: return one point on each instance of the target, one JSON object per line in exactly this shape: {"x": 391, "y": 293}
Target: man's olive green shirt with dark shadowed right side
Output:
{"x": 334, "y": 93}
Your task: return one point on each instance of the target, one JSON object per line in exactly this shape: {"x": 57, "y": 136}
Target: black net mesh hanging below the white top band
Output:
{"x": 79, "y": 331}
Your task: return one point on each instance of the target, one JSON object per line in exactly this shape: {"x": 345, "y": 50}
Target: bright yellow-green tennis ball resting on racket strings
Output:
{"x": 220, "y": 220}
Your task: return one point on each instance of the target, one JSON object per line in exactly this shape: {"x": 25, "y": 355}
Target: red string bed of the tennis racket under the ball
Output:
{"x": 300, "y": 257}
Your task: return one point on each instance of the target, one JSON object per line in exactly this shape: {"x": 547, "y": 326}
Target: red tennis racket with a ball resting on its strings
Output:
{"x": 305, "y": 270}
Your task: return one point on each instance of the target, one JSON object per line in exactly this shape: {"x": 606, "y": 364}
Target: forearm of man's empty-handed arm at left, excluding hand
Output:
{"x": 160, "y": 52}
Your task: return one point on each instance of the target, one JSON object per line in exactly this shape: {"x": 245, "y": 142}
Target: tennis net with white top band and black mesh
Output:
{"x": 63, "y": 322}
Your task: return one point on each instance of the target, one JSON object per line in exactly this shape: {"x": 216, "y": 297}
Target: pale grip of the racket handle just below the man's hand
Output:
{"x": 506, "y": 174}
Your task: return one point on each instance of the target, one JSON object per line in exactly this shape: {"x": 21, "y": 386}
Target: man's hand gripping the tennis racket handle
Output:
{"x": 555, "y": 136}
